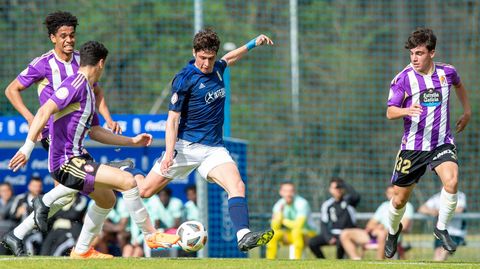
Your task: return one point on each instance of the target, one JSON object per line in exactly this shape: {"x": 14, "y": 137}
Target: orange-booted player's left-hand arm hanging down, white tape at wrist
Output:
{"x": 39, "y": 121}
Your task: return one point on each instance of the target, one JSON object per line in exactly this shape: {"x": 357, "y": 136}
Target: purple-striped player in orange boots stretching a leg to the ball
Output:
{"x": 73, "y": 109}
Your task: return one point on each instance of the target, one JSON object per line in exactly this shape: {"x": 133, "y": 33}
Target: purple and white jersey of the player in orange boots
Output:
{"x": 69, "y": 127}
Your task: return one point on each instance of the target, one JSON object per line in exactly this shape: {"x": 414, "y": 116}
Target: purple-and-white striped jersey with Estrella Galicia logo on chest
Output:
{"x": 432, "y": 127}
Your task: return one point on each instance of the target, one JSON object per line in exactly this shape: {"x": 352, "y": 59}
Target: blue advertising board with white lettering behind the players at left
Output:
{"x": 222, "y": 238}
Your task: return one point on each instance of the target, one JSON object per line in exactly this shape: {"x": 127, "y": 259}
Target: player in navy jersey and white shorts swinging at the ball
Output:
{"x": 194, "y": 132}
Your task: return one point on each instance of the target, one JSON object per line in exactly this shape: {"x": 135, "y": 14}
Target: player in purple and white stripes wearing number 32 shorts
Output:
{"x": 420, "y": 94}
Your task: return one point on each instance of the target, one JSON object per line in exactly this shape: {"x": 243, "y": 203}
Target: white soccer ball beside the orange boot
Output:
{"x": 193, "y": 236}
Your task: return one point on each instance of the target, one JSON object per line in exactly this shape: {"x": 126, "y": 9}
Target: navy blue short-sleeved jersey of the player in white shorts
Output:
{"x": 200, "y": 98}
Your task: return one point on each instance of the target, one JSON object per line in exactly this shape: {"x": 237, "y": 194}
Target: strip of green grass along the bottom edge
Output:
{"x": 120, "y": 263}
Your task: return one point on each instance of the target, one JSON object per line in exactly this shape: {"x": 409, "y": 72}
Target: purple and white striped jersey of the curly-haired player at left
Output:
{"x": 48, "y": 71}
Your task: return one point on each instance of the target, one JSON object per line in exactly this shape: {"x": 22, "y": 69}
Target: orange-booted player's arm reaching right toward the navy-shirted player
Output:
{"x": 104, "y": 136}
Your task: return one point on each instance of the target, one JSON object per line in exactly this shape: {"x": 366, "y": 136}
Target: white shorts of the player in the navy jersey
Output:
{"x": 190, "y": 156}
